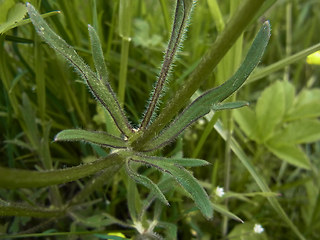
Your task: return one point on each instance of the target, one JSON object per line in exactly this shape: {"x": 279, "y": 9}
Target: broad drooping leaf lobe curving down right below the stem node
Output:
{"x": 185, "y": 179}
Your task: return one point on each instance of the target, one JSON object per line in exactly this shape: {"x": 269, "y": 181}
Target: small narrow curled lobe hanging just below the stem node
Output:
{"x": 146, "y": 182}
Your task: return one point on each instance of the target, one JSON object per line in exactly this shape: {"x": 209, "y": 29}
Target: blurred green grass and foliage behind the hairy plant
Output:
{"x": 41, "y": 95}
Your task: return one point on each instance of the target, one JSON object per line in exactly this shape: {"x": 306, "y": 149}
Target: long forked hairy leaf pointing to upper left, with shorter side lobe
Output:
{"x": 103, "y": 93}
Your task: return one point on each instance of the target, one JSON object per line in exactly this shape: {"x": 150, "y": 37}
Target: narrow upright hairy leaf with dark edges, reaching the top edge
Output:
{"x": 182, "y": 14}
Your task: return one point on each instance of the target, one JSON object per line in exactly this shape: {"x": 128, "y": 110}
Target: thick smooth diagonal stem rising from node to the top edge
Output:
{"x": 223, "y": 43}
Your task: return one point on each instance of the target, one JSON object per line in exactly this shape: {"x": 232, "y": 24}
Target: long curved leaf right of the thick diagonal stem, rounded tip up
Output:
{"x": 210, "y": 99}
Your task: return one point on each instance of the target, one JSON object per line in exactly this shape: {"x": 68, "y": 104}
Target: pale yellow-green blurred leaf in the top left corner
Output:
{"x": 15, "y": 15}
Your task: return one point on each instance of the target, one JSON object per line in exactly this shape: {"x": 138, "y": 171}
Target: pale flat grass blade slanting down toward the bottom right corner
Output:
{"x": 259, "y": 179}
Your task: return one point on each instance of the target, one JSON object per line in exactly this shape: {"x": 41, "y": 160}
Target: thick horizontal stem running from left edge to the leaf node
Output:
{"x": 16, "y": 178}
